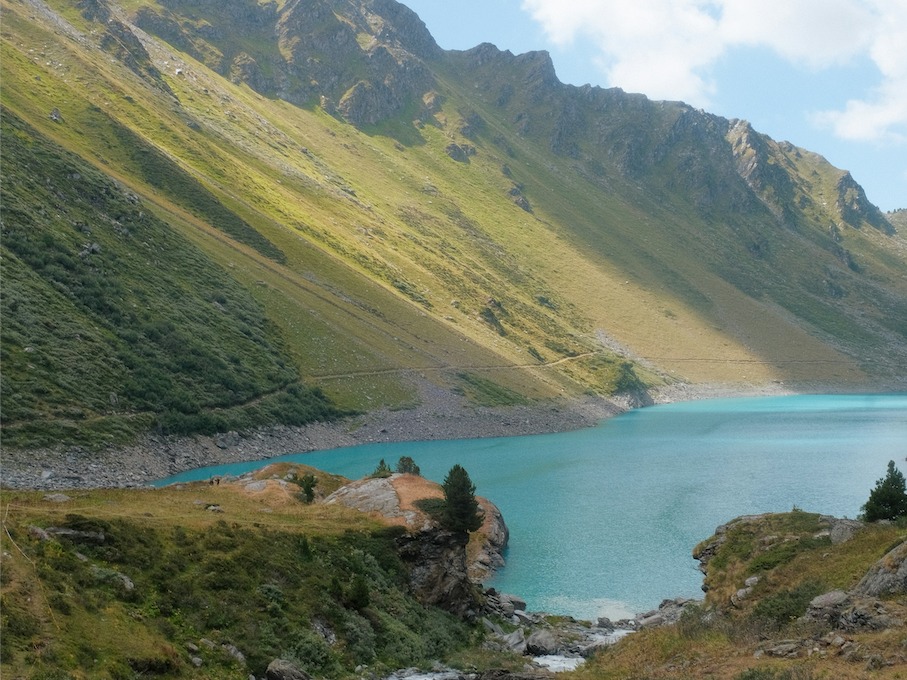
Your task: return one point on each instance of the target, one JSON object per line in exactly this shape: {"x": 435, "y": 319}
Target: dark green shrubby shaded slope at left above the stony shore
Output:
{"x": 178, "y": 346}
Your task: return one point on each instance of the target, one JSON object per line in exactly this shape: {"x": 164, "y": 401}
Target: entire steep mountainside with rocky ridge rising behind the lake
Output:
{"x": 218, "y": 215}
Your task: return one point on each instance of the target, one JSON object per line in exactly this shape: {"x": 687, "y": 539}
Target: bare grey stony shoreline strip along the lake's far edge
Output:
{"x": 440, "y": 414}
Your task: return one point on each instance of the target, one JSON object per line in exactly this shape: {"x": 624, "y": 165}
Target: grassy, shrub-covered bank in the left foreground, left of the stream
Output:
{"x": 198, "y": 575}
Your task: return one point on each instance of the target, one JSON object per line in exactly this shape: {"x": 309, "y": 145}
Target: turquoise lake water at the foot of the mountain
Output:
{"x": 603, "y": 520}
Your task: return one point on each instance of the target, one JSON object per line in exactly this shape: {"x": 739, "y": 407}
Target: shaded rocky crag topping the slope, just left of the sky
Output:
{"x": 363, "y": 60}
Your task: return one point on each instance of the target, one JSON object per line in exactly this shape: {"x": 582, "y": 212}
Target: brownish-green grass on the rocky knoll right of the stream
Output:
{"x": 719, "y": 639}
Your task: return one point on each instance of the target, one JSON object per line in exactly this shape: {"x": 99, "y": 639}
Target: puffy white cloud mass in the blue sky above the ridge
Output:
{"x": 668, "y": 48}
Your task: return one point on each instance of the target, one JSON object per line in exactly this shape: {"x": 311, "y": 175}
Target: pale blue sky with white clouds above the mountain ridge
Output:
{"x": 826, "y": 75}
